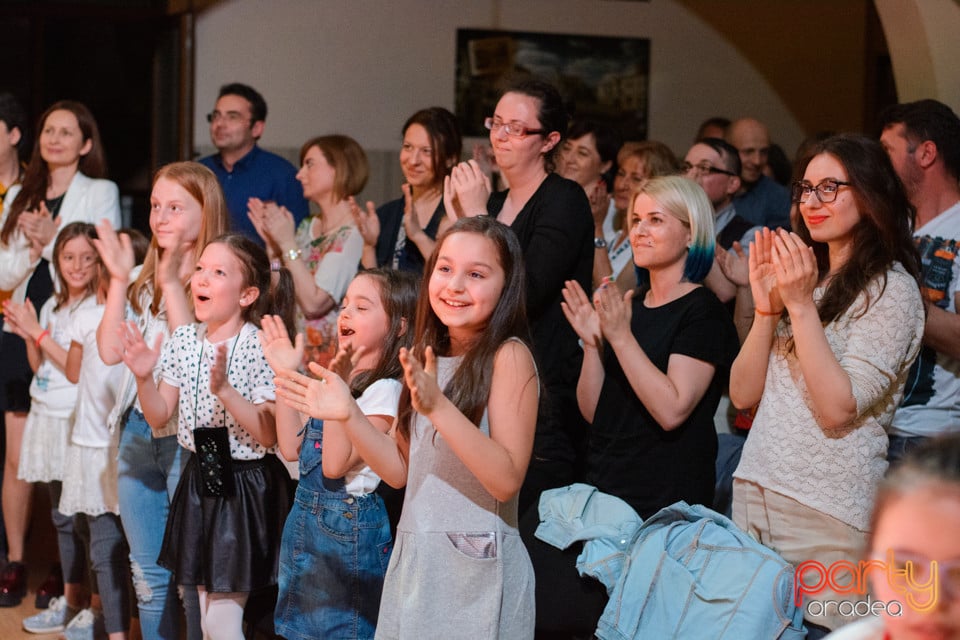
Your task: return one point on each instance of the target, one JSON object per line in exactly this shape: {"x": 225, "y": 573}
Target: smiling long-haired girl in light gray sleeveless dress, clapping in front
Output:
{"x": 459, "y": 568}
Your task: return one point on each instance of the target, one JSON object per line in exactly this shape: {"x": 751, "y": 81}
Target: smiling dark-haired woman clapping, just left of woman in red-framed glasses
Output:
{"x": 401, "y": 233}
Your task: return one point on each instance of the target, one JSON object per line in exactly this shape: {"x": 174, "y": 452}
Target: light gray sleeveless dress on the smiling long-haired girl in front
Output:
{"x": 459, "y": 568}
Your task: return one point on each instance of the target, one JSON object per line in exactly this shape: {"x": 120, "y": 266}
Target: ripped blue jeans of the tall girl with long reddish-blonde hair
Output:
{"x": 149, "y": 470}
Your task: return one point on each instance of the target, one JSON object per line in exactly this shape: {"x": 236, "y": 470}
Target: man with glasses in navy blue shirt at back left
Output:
{"x": 244, "y": 169}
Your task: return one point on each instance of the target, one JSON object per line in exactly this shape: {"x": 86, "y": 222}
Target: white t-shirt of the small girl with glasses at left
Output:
{"x": 50, "y": 392}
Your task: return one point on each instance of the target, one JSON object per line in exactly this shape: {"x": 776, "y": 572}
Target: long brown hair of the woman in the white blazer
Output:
{"x": 36, "y": 178}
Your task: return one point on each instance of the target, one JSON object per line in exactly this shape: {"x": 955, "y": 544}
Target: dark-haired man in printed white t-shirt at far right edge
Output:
{"x": 923, "y": 141}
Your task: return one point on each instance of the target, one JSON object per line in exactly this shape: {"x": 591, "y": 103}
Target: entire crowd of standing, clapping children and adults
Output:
{"x": 361, "y": 416}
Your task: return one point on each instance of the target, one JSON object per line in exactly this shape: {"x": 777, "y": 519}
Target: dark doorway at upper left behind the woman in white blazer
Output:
{"x": 123, "y": 59}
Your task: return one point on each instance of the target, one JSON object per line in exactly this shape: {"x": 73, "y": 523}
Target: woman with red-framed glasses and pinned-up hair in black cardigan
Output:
{"x": 551, "y": 217}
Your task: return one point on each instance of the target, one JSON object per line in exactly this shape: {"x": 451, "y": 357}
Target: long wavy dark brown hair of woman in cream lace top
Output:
{"x": 881, "y": 237}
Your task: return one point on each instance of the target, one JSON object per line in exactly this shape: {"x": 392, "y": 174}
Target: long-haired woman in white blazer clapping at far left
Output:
{"x": 63, "y": 183}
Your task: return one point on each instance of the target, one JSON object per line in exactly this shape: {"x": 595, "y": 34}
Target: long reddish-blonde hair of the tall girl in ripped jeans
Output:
{"x": 202, "y": 185}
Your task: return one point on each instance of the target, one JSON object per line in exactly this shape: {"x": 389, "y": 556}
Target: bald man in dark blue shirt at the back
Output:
{"x": 761, "y": 200}
